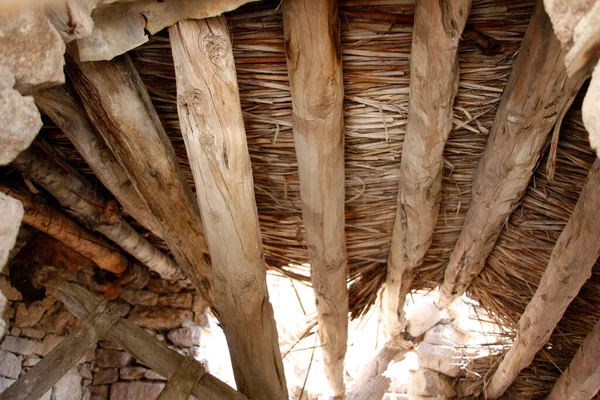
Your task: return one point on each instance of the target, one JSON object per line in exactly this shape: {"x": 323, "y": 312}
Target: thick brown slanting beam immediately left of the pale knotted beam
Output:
{"x": 118, "y": 105}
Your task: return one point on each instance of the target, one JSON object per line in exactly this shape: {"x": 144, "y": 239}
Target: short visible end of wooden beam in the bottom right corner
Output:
{"x": 581, "y": 380}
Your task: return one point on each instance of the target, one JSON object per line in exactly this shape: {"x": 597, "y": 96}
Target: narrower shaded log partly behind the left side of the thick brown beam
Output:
{"x": 61, "y": 105}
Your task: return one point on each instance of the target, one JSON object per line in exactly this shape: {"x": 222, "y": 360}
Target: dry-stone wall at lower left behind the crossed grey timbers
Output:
{"x": 170, "y": 310}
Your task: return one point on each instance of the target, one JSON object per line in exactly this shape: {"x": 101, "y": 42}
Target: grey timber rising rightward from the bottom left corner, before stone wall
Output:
{"x": 44, "y": 375}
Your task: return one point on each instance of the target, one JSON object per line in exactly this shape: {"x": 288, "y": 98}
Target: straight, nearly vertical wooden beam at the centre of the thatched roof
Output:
{"x": 315, "y": 71}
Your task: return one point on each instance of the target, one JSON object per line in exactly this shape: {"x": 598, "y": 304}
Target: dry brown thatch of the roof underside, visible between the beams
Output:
{"x": 376, "y": 44}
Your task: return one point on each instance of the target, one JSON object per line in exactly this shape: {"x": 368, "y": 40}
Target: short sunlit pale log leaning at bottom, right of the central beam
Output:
{"x": 371, "y": 383}
